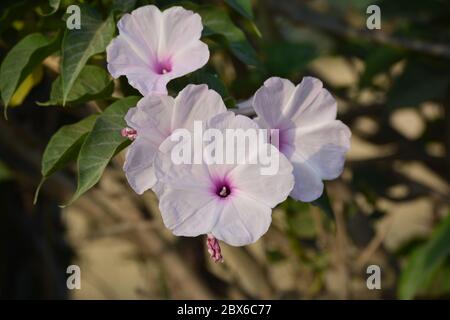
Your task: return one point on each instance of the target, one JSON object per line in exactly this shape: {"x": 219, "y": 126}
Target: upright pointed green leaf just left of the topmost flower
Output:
{"x": 79, "y": 45}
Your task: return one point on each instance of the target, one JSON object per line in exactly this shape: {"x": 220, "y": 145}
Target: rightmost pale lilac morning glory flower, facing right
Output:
{"x": 308, "y": 132}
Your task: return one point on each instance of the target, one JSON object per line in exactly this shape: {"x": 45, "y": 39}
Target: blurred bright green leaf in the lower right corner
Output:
{"x": 425, "y": 261}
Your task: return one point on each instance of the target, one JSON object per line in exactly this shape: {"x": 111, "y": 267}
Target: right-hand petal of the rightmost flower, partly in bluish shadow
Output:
{"x": 324, "y": 147}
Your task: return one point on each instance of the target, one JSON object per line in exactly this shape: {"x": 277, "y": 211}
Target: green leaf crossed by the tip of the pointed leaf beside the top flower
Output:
{"x": 92, "y": 83}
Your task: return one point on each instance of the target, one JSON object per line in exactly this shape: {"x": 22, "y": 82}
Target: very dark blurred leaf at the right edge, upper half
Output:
{"x": 418, "y": 83}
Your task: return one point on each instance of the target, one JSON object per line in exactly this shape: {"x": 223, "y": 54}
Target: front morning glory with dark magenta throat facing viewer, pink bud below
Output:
{"x": 231, "y": 202}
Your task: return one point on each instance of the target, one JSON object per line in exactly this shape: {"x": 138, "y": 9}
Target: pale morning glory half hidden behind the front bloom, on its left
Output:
{"x": 154, "y": 119}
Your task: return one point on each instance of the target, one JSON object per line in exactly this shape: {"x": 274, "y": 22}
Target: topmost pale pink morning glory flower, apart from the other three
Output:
{"x": 154, "y": 47}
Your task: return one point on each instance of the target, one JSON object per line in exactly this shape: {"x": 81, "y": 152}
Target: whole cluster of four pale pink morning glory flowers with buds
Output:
{"x": 229, "y": 202}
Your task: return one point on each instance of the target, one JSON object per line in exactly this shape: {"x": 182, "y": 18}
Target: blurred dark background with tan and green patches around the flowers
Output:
{"x": 390, "y": 207}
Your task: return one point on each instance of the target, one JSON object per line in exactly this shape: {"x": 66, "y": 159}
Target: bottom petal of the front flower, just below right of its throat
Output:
{"x": 242, "y": 221}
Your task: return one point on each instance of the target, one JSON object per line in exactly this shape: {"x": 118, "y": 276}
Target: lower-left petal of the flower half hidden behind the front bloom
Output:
{"x": 138, "y": 165}
